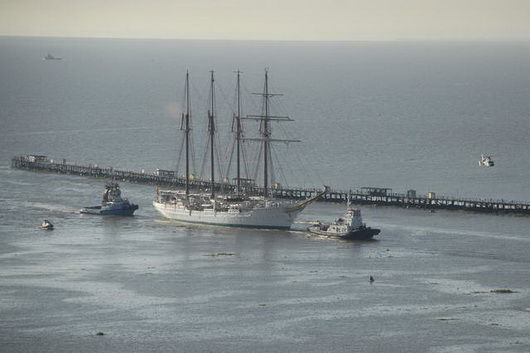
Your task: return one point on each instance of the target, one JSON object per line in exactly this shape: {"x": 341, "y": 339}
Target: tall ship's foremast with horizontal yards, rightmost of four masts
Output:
{"x": 265, "y": 131}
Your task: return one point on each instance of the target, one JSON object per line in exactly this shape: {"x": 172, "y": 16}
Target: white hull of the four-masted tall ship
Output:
{"x": 270, "y": 217}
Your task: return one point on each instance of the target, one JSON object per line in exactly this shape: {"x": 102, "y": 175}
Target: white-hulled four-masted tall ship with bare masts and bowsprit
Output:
{"x": 235, "y": 209}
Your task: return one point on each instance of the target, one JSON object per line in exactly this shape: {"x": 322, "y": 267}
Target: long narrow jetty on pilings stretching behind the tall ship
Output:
{"x": 363, "y": 195}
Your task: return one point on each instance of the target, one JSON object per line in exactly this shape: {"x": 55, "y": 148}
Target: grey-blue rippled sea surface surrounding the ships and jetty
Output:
{"x": 402, "y": 115}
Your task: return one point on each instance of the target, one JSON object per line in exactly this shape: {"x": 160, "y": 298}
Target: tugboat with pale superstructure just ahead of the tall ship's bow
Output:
{"x": 350, "y": 227}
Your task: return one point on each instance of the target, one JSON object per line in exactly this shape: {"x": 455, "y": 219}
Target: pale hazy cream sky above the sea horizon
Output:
{"x": 269, "y": 19}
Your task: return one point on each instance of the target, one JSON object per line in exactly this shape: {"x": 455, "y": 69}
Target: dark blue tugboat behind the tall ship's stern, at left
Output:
{"x": 112, "y": 203}
